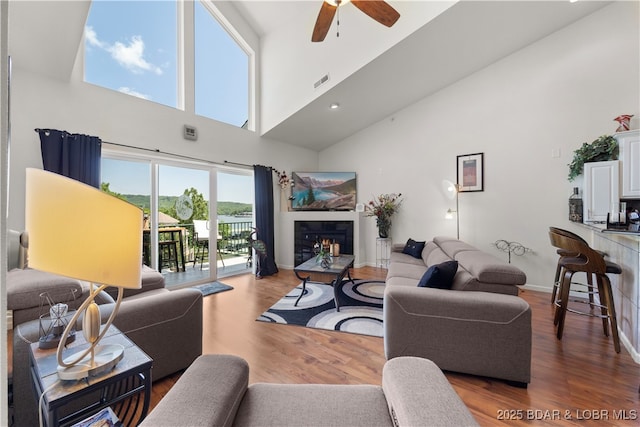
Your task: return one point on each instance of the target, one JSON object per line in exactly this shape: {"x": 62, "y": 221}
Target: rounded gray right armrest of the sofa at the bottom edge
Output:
{"x": 418, "y": 394}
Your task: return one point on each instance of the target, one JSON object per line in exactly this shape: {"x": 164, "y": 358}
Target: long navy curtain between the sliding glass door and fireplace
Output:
{"x": 263, "y": 183}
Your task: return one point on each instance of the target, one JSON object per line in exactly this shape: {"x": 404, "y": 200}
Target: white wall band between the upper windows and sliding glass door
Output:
{"x": 78, "y": 107}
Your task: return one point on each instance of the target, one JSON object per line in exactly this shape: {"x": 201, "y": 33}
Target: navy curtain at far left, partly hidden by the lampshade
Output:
{"x": 73, "y": 155}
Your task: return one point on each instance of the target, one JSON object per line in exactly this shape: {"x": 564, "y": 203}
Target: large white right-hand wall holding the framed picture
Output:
{"x": 552, "y": 95}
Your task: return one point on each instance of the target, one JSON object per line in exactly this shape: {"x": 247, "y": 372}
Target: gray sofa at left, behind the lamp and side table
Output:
{"x": 167, "y": 325}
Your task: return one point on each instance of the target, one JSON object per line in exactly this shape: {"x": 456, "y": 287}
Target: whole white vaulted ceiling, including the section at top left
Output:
{"x": 465, "y": 38}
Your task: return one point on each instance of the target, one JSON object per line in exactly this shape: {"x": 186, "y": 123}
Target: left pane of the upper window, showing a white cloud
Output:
{"x": 131, "y": 47}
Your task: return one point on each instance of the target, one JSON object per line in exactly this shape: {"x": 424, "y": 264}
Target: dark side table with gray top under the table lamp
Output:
{"x": 126, "y": 388}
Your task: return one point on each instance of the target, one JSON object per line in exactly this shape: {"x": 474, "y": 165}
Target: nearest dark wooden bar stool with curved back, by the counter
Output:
{"x": 593, "y": 264}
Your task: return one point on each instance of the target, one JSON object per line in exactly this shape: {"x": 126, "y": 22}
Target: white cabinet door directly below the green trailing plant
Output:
{"x": 601, "y": 190}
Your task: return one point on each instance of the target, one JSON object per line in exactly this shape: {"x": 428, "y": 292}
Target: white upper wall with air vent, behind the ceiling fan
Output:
{"x": 291, "y": 64}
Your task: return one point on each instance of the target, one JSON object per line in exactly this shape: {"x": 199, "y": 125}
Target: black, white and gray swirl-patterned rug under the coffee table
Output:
{"x": 360, "y": 308}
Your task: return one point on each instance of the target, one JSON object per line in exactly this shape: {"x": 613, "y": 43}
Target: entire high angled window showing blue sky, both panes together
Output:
{"x": 132, "y": 47}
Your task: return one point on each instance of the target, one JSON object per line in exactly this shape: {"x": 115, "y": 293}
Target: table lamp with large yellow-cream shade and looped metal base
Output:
{"x": 78, "y": 231}
